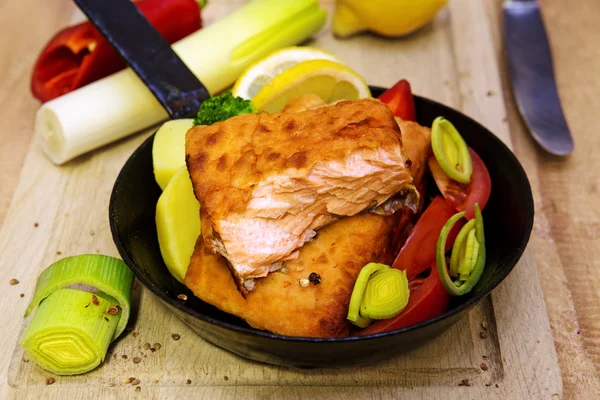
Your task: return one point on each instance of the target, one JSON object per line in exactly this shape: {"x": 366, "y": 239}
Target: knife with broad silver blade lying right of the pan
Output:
{"x": 532, "y": 75}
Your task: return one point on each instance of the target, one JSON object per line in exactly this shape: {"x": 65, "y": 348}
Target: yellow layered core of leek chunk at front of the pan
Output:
{"x": 386, "y": 294}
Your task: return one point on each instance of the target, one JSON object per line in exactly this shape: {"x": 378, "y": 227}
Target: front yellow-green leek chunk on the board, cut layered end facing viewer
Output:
{"x": 71, "y": 331}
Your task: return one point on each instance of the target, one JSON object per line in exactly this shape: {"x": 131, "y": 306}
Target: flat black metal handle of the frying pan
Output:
{"x": 148, "y": 54}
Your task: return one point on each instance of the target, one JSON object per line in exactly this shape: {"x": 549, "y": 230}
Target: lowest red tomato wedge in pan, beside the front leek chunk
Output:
{"x": 428, "y": 301}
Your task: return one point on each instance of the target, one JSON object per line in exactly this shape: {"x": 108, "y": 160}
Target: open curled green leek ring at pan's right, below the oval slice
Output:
{"x": 468, "y": 258}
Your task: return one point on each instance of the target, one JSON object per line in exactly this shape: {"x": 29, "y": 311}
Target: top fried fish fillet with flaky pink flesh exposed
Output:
{"x": 268, "y": 182}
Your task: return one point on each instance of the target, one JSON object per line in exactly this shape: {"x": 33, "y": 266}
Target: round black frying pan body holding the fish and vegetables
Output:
{"x": 508, "y": 221}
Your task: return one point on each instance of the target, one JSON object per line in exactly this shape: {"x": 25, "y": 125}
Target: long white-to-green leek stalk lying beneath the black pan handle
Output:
{"x": 120, "y": 104}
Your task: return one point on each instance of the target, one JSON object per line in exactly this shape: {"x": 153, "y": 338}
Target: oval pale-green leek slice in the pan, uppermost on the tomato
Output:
{"x": 451, "y": 151}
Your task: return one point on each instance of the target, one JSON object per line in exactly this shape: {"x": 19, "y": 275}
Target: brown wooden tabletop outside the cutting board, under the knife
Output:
{"x": 566, "y": 239}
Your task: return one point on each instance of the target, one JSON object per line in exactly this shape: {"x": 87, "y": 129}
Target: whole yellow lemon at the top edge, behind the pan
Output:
{"x": 385, "y": 17}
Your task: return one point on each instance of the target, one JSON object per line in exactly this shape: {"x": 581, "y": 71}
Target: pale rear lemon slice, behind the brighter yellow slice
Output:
{"x": 257, "y": 75}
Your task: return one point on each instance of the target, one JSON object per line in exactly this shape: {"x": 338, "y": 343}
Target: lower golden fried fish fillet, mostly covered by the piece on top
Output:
{"x": 279, "y": 303}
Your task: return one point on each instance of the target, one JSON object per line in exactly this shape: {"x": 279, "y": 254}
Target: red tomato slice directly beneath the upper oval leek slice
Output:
{"x": 463, "y": 197}
